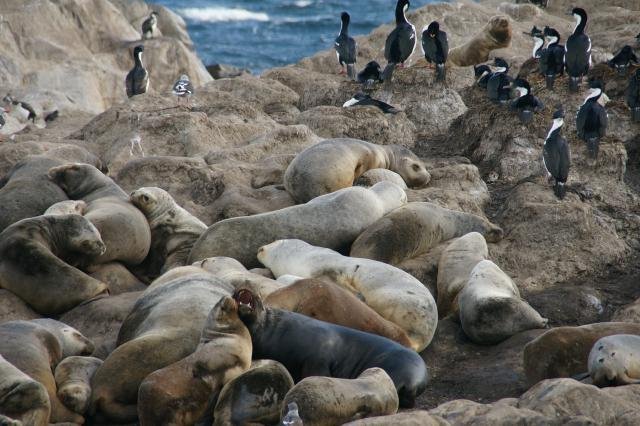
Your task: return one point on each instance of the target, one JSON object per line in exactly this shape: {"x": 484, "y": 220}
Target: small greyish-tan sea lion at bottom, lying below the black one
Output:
{"x": 326, "y": 401}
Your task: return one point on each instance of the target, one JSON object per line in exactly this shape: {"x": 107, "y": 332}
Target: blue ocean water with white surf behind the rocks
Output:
{"x": 262, "y": 34}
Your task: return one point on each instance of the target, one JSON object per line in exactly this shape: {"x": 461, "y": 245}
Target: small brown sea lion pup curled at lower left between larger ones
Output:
{"x": 73, "y": 380}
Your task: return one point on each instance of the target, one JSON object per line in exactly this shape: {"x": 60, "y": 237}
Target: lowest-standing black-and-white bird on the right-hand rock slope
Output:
{"x": 556, "y": 156}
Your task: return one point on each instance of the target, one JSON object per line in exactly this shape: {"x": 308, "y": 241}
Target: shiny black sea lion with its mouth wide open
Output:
{"x": 308, "y": 347}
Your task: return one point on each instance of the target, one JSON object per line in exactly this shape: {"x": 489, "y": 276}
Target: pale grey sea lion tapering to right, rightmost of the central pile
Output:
{"x": 491, "y": 309}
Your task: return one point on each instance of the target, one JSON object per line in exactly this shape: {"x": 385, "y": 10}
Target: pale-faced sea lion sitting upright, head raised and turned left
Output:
{"x": 173, "y": 229}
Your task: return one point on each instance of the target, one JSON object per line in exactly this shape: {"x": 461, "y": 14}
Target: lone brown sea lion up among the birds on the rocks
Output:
{"x": 495, "y": 35}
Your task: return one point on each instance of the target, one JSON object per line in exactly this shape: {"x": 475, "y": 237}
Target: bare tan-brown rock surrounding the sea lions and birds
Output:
{"x": 575, "y": 261}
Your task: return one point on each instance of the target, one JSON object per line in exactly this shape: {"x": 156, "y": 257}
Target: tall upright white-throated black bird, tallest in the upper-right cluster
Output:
{"x": 578, "y": 50}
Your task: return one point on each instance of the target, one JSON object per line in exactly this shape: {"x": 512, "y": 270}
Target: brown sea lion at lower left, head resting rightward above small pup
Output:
{"x": 35, "y": 347}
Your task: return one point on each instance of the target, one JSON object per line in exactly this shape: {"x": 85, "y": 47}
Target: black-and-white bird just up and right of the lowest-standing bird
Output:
{"x": 592, "y": 119}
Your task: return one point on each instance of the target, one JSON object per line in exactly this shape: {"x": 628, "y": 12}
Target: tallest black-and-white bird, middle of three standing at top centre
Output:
{"x": 400, "y": 43}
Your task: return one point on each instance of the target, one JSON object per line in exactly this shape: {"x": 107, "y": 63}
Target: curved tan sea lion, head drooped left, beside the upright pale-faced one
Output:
{"x": 124, "y": 229}
